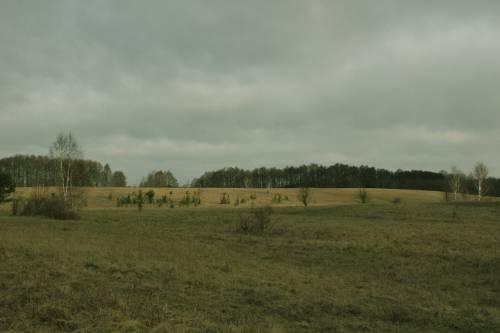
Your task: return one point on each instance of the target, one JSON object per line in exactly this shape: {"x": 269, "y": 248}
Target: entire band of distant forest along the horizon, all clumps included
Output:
{"x": 29, "y": 170}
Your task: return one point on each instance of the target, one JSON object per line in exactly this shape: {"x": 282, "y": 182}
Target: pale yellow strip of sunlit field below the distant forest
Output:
{"x": 105, "y": 197}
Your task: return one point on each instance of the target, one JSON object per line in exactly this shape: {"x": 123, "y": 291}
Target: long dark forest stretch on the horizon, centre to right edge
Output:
{"x": 337, "y": 176}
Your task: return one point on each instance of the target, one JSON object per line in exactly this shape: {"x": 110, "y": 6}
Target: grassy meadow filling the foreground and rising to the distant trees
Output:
{"x": 421, "y": 265}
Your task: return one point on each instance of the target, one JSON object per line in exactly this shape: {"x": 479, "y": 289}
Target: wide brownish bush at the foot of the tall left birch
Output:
{"x": 51, "y": 206}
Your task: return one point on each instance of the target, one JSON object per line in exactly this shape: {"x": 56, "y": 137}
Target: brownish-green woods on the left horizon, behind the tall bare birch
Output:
{"x": 34, "y": 171}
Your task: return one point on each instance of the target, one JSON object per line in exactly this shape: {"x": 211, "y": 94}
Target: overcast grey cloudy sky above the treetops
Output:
{"x": 197, "y": 85}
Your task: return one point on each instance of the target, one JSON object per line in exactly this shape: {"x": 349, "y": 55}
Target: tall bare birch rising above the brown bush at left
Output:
{"x": 65, "y": 150}
